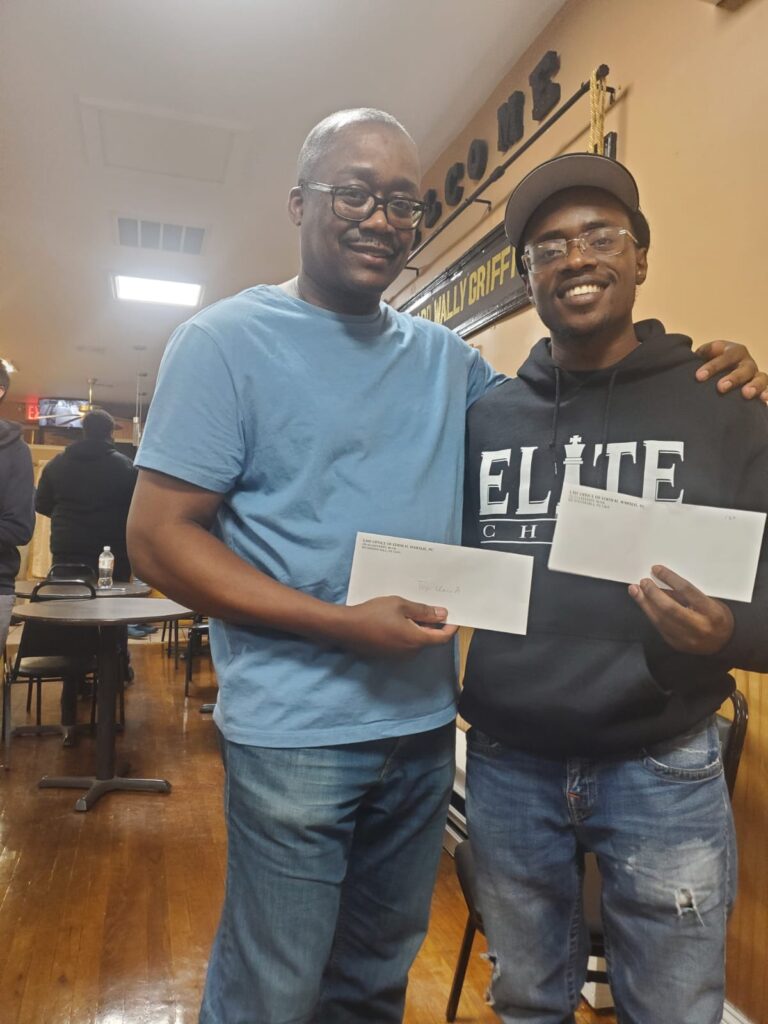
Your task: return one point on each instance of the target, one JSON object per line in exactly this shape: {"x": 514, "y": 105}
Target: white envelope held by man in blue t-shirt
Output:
{"x": 489, "y": 590}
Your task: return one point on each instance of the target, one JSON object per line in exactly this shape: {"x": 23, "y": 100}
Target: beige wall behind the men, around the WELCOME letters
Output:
{"x": 692, "y": 121}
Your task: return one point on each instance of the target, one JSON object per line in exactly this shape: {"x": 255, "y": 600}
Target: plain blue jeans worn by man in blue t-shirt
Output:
{"x": 332, "y": 859}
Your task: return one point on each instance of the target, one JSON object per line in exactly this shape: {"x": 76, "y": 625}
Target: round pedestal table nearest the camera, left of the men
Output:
{"x": 109, "y": 617}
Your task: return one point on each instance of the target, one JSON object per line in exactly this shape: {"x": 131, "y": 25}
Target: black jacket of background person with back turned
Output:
{"x": 88, "y": 492}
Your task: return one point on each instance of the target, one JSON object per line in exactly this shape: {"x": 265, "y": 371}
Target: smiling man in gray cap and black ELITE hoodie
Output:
{"x": 595, "y": 732}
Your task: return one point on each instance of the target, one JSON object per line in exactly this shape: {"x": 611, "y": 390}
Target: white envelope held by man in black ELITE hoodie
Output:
{"x": 617, "y": 537}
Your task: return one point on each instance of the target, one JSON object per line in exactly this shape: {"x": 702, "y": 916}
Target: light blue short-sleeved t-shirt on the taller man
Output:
{"x": 314, "y": 426}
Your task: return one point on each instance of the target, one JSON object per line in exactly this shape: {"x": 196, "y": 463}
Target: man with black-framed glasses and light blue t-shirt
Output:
{"x": 286, "y": 419}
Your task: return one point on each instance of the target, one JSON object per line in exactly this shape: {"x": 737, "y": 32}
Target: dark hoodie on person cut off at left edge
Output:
{"x": 17, "y": 502}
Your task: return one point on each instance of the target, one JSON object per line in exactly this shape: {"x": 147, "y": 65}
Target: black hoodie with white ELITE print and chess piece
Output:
{"x": 593, "y": 677}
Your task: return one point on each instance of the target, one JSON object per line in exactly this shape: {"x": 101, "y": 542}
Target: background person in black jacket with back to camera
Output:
{"x": 88, "y": 492}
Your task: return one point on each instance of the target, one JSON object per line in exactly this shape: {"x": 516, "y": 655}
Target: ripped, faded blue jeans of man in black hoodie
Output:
{"x": 662, "y": 829}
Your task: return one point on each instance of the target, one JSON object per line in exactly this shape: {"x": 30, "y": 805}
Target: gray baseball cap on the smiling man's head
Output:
{"x": 573, "y": 170}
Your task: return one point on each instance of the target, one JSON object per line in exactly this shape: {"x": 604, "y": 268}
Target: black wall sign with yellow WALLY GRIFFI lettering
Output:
{"x": 475, "y": 291}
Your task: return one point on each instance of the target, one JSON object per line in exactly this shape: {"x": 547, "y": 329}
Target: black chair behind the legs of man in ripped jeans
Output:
{"x": 733, "y": 734}
